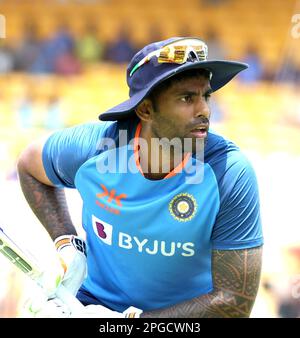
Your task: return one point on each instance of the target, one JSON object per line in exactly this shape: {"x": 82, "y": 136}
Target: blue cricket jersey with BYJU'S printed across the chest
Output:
{"x": 150, "y": 242}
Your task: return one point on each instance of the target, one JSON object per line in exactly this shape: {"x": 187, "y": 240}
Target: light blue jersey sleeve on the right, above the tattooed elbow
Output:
{"x": 238, "y": 223}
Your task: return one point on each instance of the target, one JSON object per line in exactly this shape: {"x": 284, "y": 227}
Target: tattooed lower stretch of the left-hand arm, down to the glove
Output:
{"x": 49, "y": 205}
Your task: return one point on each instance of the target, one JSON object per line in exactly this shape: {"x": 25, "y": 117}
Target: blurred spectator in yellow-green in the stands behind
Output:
{"x": 88, "y": 48}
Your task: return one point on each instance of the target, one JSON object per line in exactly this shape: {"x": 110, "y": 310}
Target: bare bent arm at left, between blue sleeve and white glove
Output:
{"x": 46, "y": 201}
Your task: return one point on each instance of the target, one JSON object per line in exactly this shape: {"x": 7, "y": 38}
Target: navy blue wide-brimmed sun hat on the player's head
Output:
{"x": 141, "y": 80}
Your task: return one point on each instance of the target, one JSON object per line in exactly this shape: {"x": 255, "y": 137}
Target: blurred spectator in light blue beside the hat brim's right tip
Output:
{"x": 255, "y": 70}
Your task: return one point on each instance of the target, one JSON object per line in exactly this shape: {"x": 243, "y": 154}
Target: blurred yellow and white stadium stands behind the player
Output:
{"x": 63, "y": 62}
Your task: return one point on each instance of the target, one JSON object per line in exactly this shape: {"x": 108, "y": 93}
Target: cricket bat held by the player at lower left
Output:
{"x": 28, "y": 264}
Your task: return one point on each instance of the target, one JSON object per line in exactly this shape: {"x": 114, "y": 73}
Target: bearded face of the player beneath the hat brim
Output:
{"x": 182, "y": 111}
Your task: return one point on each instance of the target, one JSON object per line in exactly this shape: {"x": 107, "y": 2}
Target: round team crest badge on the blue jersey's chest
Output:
{"x": 183, "y": 207}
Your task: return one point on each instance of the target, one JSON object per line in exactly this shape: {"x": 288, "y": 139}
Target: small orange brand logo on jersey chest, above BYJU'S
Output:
{"x": 110, "y": 198}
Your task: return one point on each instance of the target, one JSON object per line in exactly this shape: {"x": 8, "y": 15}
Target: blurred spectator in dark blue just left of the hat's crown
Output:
{"x": 121, "y": 50}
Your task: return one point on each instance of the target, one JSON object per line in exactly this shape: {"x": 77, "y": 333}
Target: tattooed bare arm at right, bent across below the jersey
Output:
{"x": 236, "y": 276}
